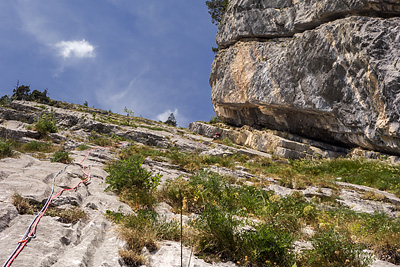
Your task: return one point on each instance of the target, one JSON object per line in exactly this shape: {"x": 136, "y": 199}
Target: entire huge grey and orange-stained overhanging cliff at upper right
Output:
{"x": 327, "y": 70}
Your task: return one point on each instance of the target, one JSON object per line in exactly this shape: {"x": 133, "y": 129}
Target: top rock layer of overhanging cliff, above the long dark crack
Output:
{"x": 279, "y": 18}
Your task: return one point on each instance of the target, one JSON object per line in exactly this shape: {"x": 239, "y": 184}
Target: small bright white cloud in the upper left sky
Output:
{"x": 77, "y": 49}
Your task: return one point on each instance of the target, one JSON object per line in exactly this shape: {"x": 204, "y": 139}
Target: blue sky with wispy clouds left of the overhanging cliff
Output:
{"x": 152, "y": 56}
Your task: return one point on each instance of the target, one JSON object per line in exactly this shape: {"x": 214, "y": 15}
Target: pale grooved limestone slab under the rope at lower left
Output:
{"x": 91, "y": 242}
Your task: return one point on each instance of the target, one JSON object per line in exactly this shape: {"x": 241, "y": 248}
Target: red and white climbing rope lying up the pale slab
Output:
{"x": 32, "y": 231}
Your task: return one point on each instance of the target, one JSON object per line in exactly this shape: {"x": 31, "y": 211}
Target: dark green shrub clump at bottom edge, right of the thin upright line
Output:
{"x": 223, "y": 234}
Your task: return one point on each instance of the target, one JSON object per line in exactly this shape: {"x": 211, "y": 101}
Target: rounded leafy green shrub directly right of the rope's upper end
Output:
{"x": 133, "y": 183}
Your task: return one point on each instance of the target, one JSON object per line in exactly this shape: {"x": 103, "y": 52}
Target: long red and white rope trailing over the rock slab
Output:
{"x": 31, "y": 230}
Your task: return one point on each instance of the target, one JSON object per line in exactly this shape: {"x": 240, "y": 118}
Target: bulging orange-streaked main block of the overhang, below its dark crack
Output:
{"x": 338, "y": 83}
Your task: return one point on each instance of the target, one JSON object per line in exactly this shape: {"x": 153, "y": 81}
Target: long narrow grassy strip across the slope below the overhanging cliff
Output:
{"x": 292, "y": 173}
